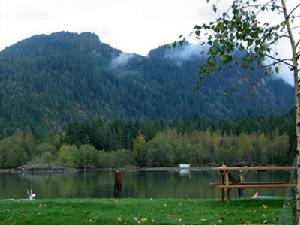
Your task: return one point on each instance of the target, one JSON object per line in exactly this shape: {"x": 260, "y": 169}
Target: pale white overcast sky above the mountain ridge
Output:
{"x": 135, "y": 26}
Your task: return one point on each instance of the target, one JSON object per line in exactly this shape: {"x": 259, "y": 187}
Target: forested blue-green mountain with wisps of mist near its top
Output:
{"x": 47, "y": 81}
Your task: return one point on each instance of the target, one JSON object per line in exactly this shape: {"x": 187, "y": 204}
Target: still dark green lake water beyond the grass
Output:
{"x": 136, "y": 184}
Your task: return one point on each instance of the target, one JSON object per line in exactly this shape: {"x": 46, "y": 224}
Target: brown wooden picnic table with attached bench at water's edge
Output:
{"x": 227, "y": 183}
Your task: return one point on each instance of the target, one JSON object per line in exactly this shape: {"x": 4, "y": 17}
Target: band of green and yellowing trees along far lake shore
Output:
{"x": 97, "y": 143}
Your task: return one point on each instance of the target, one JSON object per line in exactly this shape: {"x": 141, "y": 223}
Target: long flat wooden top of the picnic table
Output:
{"x": 255, "y": 168}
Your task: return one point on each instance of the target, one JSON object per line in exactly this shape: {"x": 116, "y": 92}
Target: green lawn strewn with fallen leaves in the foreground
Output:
{"x": 143, "y": 211}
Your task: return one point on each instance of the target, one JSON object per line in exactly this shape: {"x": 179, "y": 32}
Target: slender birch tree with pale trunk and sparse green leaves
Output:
{"x": 250, "y": 26}
